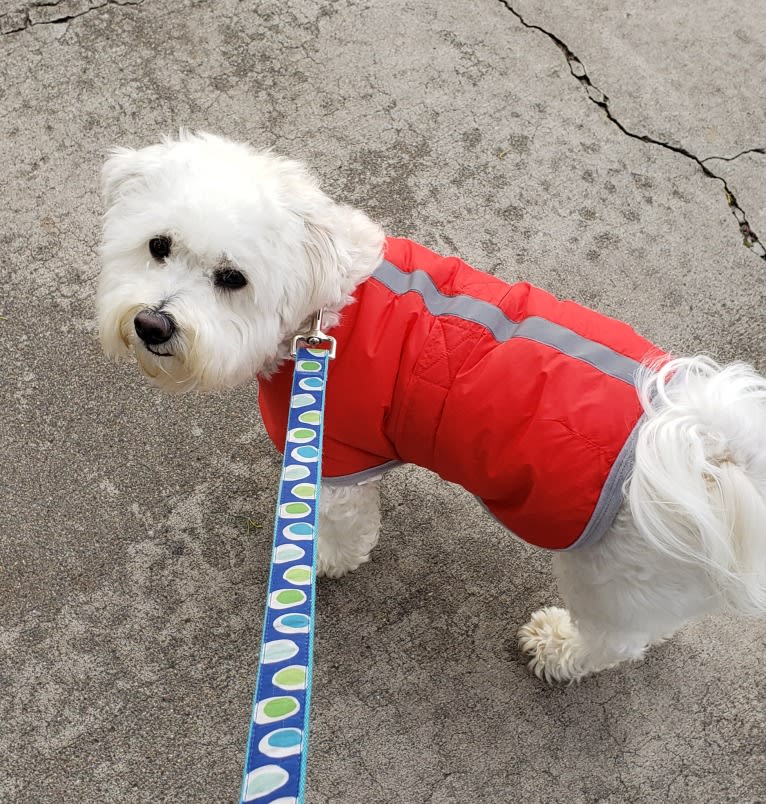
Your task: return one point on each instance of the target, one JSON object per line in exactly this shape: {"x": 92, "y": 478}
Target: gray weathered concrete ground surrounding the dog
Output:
{"x": 135, "y": 528}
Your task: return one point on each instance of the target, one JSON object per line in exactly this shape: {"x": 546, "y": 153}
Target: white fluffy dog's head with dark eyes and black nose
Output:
{"x": 215, "y": 254}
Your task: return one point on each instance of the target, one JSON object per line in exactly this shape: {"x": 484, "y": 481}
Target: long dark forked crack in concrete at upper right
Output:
{"x": 749, "y": 237}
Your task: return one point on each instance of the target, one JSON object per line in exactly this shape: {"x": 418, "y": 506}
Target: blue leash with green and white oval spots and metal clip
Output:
{"x": 277, "y": 745}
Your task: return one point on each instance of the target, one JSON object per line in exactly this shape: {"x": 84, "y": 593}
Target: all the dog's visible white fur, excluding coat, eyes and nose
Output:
{"x": 690, "y": 536}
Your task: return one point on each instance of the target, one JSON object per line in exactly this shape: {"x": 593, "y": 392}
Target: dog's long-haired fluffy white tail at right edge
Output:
{"x": 698, "y": 490}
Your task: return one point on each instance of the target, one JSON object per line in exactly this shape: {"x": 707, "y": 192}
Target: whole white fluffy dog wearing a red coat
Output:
{"x": 215, "y": 255}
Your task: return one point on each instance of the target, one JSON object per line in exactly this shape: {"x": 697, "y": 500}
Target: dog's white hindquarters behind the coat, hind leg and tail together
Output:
{"x": 698, "y": 495}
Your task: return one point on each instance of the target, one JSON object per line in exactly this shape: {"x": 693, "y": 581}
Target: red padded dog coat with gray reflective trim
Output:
{"x": 527, "y": 402}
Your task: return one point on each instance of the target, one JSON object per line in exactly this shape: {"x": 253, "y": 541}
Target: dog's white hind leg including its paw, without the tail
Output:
{"x": 621, "y": 596}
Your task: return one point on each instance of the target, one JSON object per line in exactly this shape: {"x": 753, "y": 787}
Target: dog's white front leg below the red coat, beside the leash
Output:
{"x": 349, "y": 522}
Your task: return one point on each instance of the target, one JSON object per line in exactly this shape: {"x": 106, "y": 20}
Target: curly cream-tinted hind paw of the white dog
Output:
{"x": 550, "y": 639}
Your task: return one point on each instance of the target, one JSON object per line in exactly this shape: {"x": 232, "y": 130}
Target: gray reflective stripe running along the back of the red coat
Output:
{"x": 536, "y": 329}
